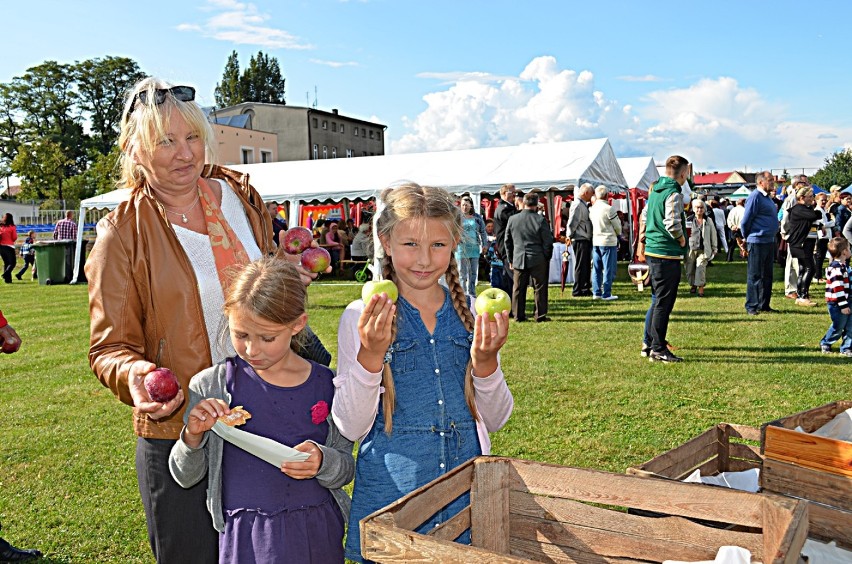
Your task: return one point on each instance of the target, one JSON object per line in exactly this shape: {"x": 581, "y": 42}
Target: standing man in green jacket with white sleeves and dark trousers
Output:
{"x": 665, "y": 247}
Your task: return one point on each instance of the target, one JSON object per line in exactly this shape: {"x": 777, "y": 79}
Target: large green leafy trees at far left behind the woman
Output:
{"x": 42, "y": 112}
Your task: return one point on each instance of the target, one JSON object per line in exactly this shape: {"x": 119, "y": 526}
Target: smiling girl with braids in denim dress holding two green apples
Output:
{"x": 434, "y": 365}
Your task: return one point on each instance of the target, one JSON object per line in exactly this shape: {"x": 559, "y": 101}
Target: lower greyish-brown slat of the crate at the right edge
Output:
{"x": 791, "y": 479}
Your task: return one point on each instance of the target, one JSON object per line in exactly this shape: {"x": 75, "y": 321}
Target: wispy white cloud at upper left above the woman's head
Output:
{"x": 242, "y": 24}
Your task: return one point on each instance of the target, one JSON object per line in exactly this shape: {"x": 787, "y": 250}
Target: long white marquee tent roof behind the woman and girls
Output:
{"x": 541, "y": 166}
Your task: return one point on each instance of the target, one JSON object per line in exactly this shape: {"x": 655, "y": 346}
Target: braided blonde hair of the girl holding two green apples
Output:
{"x": 410, "y": 201}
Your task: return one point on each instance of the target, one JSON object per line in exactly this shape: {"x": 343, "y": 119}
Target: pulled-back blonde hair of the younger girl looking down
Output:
{"x": 268, "y": 288}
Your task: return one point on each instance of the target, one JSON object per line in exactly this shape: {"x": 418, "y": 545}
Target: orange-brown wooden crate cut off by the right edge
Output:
{"x": 813, "y": 468}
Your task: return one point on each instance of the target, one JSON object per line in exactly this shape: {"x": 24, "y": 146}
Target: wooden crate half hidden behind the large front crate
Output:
{"x": 725, "y": 447}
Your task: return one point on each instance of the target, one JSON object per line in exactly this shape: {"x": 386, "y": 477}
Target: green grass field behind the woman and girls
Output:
{"x": 583, "y": 397}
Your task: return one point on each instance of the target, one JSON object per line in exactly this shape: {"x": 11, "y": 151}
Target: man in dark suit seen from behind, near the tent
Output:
{"x": 529, "y": 245}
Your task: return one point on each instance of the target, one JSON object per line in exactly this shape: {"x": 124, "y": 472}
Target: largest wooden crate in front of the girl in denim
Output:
{"x": 522, "y": 511}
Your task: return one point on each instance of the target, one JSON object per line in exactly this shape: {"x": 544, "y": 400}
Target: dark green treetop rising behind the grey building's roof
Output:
{"x": 261, "y": 81}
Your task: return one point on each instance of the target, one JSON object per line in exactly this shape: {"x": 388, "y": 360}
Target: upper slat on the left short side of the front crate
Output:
{"x": 412, "y": 510}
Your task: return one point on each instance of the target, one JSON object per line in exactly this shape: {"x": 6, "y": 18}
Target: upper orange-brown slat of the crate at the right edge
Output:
{"x": 811, "y": 451}
